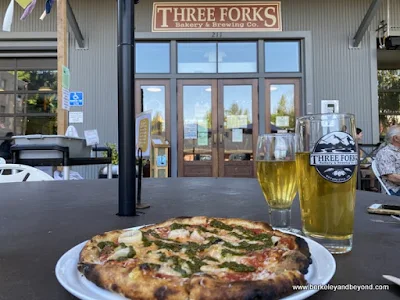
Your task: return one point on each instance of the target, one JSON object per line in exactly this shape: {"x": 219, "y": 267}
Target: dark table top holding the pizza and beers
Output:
{"x": 40, "y": 221}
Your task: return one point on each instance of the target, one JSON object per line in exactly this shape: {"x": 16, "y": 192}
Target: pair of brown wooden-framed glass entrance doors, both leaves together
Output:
{"x": 217, "y": 127}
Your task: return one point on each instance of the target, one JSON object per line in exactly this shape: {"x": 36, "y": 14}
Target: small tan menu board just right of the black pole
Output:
{"x": 143, "y": 132}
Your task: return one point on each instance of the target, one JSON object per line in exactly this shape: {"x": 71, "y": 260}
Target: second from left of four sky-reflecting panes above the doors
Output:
{"x": 197, "y": 57}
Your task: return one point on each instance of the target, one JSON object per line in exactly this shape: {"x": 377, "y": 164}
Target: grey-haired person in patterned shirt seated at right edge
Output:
{"x": 388, "y": 161}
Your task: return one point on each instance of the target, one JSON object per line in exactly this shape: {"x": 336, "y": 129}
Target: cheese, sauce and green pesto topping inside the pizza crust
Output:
{"x": 180, "y": 250}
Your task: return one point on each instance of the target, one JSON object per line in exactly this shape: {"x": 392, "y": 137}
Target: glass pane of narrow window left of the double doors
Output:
{"x": 154, "y": 100}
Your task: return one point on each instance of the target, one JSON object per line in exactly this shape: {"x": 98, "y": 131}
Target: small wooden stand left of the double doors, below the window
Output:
{"x": 159, "y": 158}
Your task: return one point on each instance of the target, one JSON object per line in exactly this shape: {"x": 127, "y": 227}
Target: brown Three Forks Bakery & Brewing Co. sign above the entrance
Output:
{"x": 216, "y": 16}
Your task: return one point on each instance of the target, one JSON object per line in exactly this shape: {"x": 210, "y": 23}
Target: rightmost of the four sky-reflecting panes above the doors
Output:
{"x": 282, "y": 56}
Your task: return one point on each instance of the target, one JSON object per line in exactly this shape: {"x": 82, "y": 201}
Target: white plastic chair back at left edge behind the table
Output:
{"x": 21, "y": 173}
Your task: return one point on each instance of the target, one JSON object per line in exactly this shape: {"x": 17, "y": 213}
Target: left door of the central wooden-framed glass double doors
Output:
{"x": 197, "y": 128}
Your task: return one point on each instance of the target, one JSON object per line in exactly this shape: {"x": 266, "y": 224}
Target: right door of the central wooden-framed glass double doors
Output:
{"x": 237, "y": 127}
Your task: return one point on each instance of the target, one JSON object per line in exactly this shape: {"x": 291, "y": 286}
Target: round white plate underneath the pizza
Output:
{"x": 321, "y": 270}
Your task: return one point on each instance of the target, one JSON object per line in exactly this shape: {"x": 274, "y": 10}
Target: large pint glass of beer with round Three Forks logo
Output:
{"x": 326, "y": 164}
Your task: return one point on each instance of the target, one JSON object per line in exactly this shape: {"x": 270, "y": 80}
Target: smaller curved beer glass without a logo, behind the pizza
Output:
{"x": 276, "y": 174}
